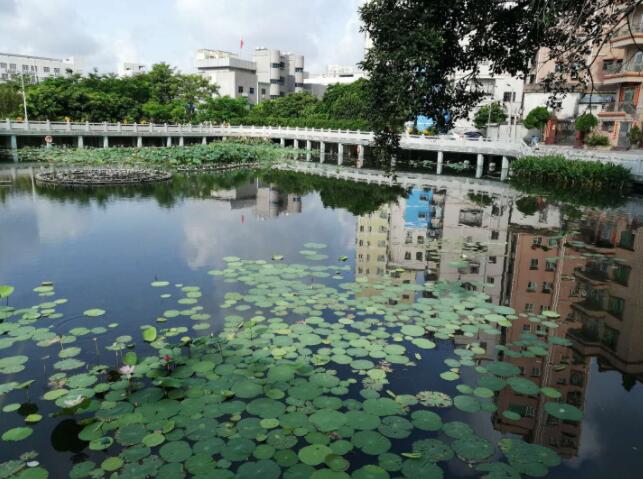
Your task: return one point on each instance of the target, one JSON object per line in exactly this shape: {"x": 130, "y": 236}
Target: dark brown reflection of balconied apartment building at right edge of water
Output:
{"x": 611, "y": 314}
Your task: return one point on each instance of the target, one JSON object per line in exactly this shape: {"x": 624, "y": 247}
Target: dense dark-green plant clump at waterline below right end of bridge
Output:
{"x": 558, "y": 172}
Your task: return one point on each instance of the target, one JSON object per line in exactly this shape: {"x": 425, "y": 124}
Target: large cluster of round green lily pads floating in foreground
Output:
{"x": 293, "y": 379}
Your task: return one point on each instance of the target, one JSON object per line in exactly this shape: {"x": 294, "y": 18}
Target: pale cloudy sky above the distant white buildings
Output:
{"x": 103, "y": 34}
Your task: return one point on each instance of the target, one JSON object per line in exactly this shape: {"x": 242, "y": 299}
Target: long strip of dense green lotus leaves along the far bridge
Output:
{"x": 215, "y": 153}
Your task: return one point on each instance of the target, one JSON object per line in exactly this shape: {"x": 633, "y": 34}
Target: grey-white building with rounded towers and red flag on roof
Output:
{"x": 270, "y": 74}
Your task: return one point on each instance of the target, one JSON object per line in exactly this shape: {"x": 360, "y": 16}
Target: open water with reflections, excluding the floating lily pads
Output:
{"x": 103, "y": 248}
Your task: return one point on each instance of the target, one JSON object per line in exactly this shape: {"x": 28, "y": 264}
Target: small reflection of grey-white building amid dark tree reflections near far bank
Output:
{"x": 267, "y": 202}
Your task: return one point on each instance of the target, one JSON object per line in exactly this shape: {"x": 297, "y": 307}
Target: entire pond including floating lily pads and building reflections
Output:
{"x": 264, "y": 324}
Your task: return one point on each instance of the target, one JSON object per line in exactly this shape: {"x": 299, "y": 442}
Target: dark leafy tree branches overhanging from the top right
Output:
{"x": 418, "y": 46}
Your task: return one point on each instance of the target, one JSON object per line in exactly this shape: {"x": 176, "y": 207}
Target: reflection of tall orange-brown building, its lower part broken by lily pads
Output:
{"x": 540, "y": 277}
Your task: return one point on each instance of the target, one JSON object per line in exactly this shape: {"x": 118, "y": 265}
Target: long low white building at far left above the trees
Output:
{"x": 34, "y": 68}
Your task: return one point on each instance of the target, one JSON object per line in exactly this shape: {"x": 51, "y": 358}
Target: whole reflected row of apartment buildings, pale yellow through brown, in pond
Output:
{"x": 534, "y": 257}
